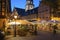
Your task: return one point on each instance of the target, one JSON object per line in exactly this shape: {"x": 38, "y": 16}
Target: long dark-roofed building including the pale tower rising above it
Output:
{"x": 29, "y": 12}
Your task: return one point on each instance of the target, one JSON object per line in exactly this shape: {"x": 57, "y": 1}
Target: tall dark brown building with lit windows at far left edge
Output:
{"x": 5, "y": 7}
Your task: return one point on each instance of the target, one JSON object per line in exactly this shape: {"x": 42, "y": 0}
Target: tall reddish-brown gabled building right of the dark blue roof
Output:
{"x": 44, "y": 11}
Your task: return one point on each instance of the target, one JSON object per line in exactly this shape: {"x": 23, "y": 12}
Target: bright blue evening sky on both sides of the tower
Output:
{"x": 22, "y": 3}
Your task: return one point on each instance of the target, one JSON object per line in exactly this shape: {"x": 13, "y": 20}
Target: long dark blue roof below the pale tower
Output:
{"x": 22, "y": 12}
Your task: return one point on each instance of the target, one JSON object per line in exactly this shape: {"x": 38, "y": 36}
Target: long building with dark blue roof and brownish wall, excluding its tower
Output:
{"x": 27, "y": 15}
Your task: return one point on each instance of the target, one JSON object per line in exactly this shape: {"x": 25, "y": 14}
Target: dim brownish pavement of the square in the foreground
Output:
{"x": 41, "y": 36}
